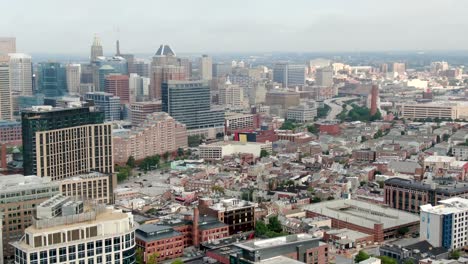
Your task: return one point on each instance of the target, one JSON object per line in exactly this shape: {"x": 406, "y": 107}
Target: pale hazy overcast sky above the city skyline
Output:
{"x": 64, "y": 26}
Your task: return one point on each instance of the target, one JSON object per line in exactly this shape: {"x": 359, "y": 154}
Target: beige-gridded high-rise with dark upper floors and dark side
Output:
{"x": 63, "y": 142}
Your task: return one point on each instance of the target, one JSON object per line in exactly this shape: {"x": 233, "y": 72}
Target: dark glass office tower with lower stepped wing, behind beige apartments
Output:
{"x": 189, "y": 103}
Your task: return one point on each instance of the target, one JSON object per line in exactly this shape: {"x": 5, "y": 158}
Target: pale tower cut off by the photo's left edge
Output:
{"x": 6, "y": 110}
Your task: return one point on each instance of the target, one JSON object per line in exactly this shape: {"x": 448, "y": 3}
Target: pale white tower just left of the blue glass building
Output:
{"x": 20, "y": 73}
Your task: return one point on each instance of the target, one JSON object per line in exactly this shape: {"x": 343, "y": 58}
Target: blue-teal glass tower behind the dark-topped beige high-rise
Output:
{"x": 52, "y": 79}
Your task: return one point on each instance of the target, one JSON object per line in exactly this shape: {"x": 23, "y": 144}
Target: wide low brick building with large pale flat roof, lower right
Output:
{"x": 369, "y": 218}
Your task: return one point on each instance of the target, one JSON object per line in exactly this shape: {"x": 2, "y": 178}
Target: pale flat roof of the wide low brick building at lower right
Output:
{"x": 363, "y": 213}
